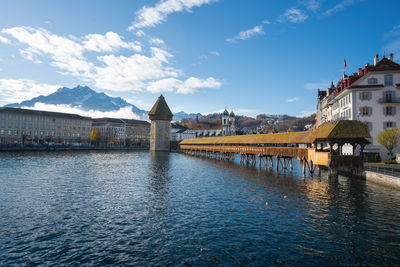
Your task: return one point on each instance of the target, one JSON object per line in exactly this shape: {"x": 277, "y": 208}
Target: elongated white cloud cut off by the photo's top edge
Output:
{"x": 151, "y": 16}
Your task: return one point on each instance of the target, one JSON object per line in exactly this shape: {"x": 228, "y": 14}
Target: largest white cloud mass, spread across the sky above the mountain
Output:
{"x": 112, "y": 72}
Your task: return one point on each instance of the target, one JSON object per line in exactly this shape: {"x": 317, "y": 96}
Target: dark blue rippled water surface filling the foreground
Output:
{"x": 143, "y": 209}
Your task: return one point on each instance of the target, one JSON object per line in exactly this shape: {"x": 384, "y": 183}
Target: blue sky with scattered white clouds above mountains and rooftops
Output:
{"x": 250, "y": 56}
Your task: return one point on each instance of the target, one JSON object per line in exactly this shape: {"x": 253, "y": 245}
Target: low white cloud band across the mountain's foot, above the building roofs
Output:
{"x": 124, "y": 113}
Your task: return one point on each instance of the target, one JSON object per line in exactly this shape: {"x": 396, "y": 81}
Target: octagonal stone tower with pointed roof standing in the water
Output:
{"x": 160, "y": 116}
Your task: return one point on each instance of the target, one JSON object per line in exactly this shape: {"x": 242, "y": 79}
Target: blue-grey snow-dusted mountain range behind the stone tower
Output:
{"x": 87, "y": 99}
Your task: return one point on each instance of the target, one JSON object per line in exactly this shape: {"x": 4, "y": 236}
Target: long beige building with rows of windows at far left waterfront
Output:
{"x": 25, "y": 126}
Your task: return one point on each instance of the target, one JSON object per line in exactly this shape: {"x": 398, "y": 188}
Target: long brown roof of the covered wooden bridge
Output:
{"x": 345, "y": 129}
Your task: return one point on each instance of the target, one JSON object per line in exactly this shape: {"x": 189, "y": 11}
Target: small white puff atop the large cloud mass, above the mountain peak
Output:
{"x": 108, "y": 43}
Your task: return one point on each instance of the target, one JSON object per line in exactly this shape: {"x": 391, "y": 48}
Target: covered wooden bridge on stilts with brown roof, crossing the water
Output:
{"x": 321, "y": 147}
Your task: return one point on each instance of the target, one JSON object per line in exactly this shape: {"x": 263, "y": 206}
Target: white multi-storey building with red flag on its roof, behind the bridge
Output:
{"x": 371, "y": 95}
